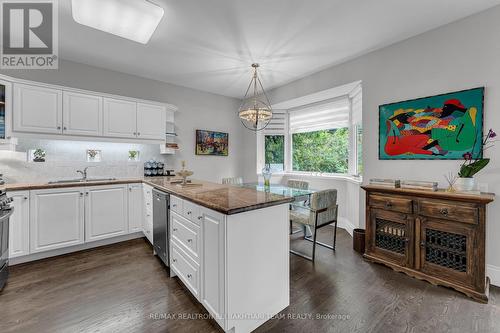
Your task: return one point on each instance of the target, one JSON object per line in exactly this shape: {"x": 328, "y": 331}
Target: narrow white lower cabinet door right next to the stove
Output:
{"x": 19, "y": 224}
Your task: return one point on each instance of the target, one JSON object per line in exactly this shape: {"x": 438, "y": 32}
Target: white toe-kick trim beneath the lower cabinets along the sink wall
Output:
{"x": 66, "y": 250}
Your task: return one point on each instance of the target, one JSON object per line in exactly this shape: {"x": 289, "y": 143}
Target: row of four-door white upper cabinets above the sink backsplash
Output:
{"x": 52, "y": 110}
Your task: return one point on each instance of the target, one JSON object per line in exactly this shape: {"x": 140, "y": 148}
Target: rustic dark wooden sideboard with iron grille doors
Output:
{"x": 434, "y": 236}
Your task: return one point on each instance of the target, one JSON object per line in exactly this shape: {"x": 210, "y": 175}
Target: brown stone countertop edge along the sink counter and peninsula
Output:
{"x": 227, "y": 211}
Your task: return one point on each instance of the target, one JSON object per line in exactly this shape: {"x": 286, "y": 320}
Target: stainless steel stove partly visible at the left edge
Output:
{"x": 5, "y": 212}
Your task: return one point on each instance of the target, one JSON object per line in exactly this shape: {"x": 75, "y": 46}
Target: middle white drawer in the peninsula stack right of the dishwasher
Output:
{"x": 186, "y": 234}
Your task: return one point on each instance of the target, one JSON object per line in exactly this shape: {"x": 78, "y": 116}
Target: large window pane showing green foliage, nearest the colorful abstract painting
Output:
{"x": 321, "y": 151}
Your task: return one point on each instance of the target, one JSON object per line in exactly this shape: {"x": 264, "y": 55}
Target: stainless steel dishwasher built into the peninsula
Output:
{"x": 161, "y": 205}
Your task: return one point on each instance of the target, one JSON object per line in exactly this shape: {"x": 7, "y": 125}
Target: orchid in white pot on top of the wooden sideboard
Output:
{"x": 471, "y": 166}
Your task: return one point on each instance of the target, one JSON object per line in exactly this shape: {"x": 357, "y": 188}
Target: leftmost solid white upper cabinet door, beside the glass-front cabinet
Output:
{"x": 37, "y": 109}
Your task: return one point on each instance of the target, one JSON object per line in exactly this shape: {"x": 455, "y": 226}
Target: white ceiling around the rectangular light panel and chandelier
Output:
{"x": 210, "y": 44}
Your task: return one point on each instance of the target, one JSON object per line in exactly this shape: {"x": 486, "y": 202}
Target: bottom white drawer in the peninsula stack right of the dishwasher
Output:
{"x": 186, "y": 269}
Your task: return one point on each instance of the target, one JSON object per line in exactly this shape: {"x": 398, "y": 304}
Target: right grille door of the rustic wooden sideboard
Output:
{"x": 447, "y": 250}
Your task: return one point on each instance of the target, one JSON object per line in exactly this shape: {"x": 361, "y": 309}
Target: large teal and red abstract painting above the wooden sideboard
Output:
{"x": 439, "y": 127}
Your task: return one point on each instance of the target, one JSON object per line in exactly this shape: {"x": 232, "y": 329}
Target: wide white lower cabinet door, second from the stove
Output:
{"x": 56, "y": 218}
